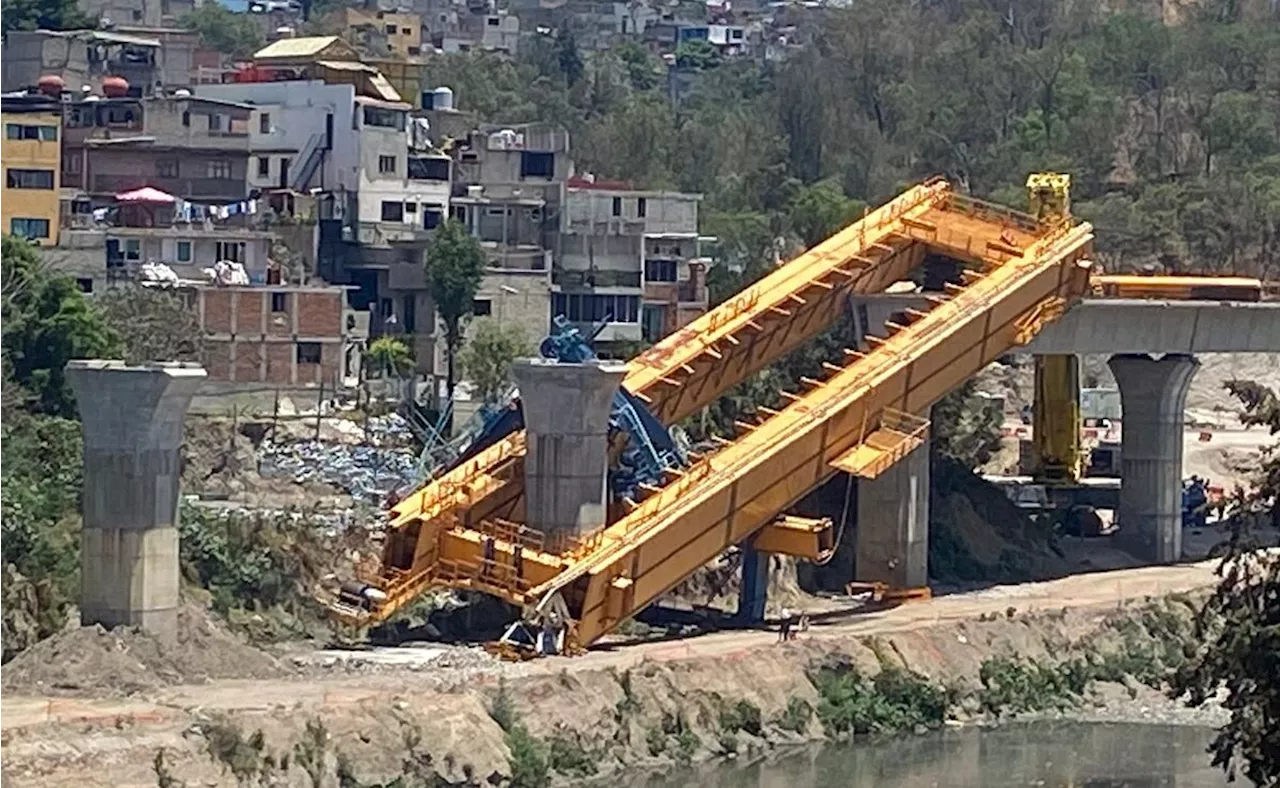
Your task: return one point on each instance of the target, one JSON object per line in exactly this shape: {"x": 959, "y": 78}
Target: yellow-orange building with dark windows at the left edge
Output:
{"x": 31, "y": 158}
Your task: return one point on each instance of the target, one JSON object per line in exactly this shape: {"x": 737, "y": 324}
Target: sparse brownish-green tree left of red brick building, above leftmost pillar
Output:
{"x": 156, "y": 324}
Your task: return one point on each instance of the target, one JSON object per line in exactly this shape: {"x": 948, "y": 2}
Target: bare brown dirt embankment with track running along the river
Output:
{"x": 630, "y": 707}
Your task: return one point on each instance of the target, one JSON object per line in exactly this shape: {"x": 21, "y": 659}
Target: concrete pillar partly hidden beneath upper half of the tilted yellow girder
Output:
{"x": 894, "y": 524}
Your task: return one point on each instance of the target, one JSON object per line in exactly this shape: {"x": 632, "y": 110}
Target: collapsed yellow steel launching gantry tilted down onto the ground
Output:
{"x": 464, "y": 529}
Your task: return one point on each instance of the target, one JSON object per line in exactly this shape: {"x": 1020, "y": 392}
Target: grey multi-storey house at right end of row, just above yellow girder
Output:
{"x": 628, "y": 260}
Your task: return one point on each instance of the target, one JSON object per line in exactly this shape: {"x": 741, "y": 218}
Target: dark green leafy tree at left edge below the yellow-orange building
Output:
{"x": 45, "y": 323}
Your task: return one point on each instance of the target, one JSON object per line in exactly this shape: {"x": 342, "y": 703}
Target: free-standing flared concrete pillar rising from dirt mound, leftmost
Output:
{"x": 131, "y": 419}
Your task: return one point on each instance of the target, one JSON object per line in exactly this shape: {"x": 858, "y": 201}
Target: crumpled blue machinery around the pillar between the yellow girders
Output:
{"x": 650, "y": 448}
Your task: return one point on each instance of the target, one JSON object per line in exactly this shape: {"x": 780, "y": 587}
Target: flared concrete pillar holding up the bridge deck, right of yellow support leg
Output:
{"x": 1153, "y": 400}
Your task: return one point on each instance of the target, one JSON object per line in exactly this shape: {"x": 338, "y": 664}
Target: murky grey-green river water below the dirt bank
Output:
{"x": 1044, "y": 755}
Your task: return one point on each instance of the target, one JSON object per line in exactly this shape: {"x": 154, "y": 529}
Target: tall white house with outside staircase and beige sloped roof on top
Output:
{"x": 337, "y": 129}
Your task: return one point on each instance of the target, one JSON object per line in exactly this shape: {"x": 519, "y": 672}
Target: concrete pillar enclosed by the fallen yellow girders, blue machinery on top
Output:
{"x": 568, "y": 436}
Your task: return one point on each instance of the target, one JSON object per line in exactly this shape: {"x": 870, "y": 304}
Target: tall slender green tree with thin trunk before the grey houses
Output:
{"x": 455, "y": 269}
